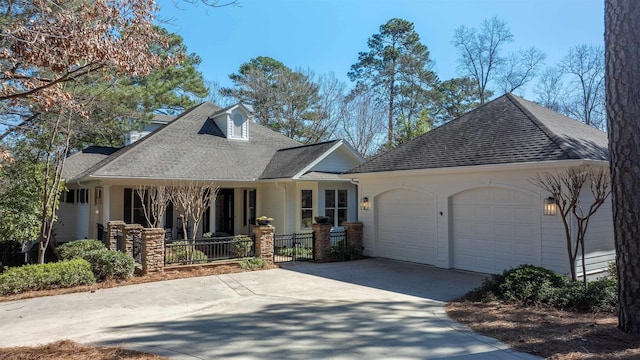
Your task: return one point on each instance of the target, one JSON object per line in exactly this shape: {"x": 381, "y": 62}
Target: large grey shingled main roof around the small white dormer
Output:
{"x": 192, "y": 147}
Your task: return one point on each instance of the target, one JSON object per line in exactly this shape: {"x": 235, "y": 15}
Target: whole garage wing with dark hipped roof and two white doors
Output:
{"x": 461, "y": 196}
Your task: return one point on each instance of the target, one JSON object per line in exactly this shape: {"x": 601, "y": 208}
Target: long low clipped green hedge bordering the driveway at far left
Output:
{"x": 62, "y": 274}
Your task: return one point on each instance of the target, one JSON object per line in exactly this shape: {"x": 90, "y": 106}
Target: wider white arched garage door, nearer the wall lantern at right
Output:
{"x": 495, "y": 229}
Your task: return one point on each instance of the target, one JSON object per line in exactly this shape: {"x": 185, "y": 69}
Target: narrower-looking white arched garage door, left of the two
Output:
{"x": 405, "y": 224}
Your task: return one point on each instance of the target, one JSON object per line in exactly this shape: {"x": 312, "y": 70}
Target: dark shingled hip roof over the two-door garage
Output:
{"x": 506, "y": 130}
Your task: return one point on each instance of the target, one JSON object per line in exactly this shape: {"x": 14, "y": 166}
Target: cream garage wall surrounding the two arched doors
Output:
{"x": 444, "y": 185}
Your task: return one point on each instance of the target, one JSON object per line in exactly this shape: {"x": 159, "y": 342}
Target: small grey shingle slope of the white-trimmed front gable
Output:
{"x": 286, "y": 163}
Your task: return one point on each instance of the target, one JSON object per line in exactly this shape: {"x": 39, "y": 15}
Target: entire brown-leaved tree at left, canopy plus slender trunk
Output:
{"x": 50, "y": 52}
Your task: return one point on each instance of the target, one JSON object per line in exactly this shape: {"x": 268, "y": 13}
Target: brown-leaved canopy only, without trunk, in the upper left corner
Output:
{"x": 49, "y": 43}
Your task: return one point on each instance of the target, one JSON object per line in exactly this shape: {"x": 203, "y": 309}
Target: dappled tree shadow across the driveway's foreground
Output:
{"x": 319, "y": 329}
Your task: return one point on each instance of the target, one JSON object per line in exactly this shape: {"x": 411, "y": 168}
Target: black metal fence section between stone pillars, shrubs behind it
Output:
{"x": 205, "y": 250}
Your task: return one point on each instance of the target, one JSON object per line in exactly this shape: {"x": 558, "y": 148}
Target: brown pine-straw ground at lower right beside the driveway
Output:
{"x": 548, "y": 332}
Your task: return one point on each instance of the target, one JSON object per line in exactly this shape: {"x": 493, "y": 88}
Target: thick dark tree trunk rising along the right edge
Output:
{"x": 622, "y": 56}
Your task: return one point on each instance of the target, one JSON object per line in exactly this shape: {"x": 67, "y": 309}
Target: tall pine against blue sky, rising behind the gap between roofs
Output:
{"x": 397, "y": 69}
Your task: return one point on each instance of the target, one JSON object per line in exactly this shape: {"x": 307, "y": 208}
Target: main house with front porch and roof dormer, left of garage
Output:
{"x": 258, "y": 172}
